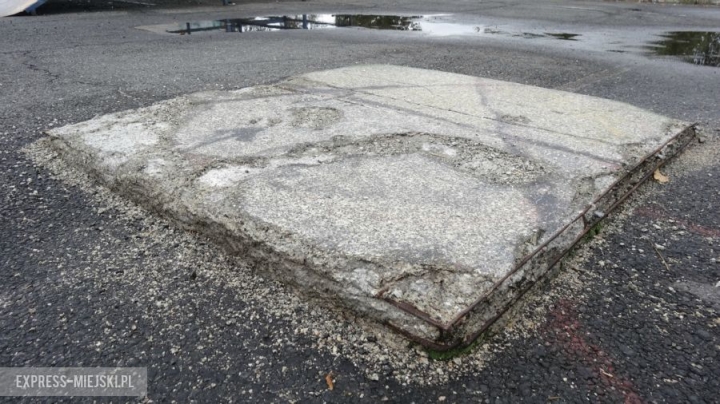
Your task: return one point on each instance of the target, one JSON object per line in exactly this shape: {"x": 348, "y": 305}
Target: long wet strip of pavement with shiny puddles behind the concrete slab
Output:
{"x": 697, "y": 47}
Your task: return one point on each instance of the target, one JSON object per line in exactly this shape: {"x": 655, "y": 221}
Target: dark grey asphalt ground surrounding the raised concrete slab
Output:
{"x": 89, "y": 280}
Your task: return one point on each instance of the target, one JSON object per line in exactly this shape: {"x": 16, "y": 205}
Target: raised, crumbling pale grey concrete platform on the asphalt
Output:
{"x": 427, "y": 201}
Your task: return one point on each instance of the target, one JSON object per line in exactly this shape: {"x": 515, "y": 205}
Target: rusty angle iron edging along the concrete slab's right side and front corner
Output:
{"x": 689, "y": 133}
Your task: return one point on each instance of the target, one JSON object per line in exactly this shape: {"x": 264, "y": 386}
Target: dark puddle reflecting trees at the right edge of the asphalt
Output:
{"x": 700, "y": 48}
